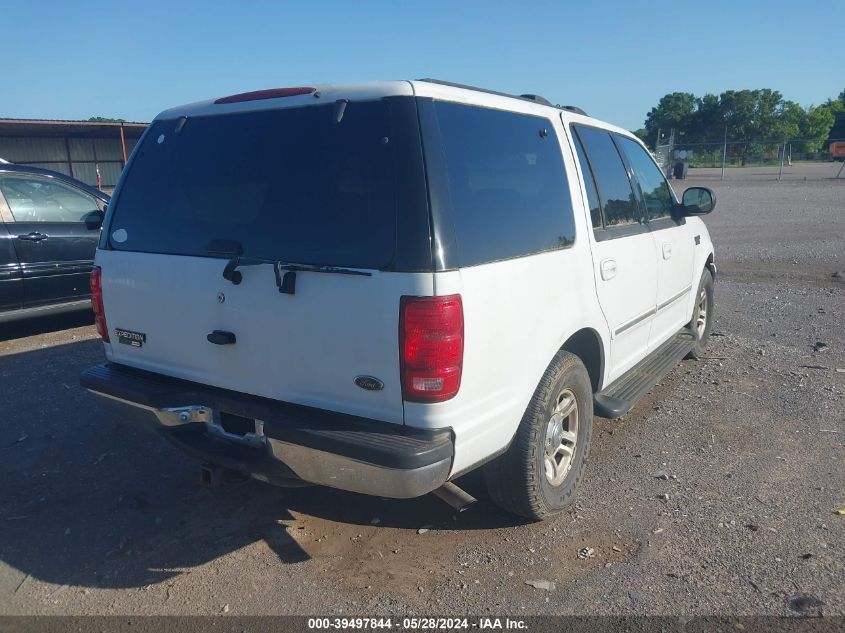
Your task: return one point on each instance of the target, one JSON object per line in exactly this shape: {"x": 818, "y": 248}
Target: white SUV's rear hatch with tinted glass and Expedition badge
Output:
{"x": 320, "y": 214}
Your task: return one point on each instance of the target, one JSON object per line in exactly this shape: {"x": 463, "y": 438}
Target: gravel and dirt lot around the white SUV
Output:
{"x": 97, "y": 517}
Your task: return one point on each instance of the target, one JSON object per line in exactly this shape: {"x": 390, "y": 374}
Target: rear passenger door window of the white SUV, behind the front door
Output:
{"x": 614, "y": 188}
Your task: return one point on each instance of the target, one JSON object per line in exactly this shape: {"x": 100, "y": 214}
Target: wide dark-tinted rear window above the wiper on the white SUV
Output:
{"x": 288, "y": 184}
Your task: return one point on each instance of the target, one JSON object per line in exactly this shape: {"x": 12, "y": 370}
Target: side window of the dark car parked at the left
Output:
{"x": 34, "y": 199}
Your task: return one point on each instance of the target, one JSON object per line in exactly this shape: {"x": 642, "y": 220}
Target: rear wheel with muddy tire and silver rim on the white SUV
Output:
{"x": 521, "y": 481}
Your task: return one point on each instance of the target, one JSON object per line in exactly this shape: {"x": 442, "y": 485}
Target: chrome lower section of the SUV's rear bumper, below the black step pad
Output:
{"x": 196, "y": 429}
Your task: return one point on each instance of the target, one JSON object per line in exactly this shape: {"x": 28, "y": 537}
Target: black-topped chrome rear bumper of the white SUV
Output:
{"x": 293, "y": 443}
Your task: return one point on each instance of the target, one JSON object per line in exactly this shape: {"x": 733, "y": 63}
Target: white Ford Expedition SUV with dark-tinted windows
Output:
{"x": 379, "y": 287}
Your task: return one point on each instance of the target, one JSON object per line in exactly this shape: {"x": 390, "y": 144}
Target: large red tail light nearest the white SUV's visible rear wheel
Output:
{"x": 431, "y": 347}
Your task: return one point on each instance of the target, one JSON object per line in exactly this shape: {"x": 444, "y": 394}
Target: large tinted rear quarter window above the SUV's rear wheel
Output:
{"x": 507, "y": 183}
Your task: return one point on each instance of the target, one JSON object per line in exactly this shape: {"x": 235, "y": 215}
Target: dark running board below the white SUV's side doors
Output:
{"x": 617, "y": 399}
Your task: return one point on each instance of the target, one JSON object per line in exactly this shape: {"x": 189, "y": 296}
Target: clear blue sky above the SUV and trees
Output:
{"x": 78, "y": 59}
